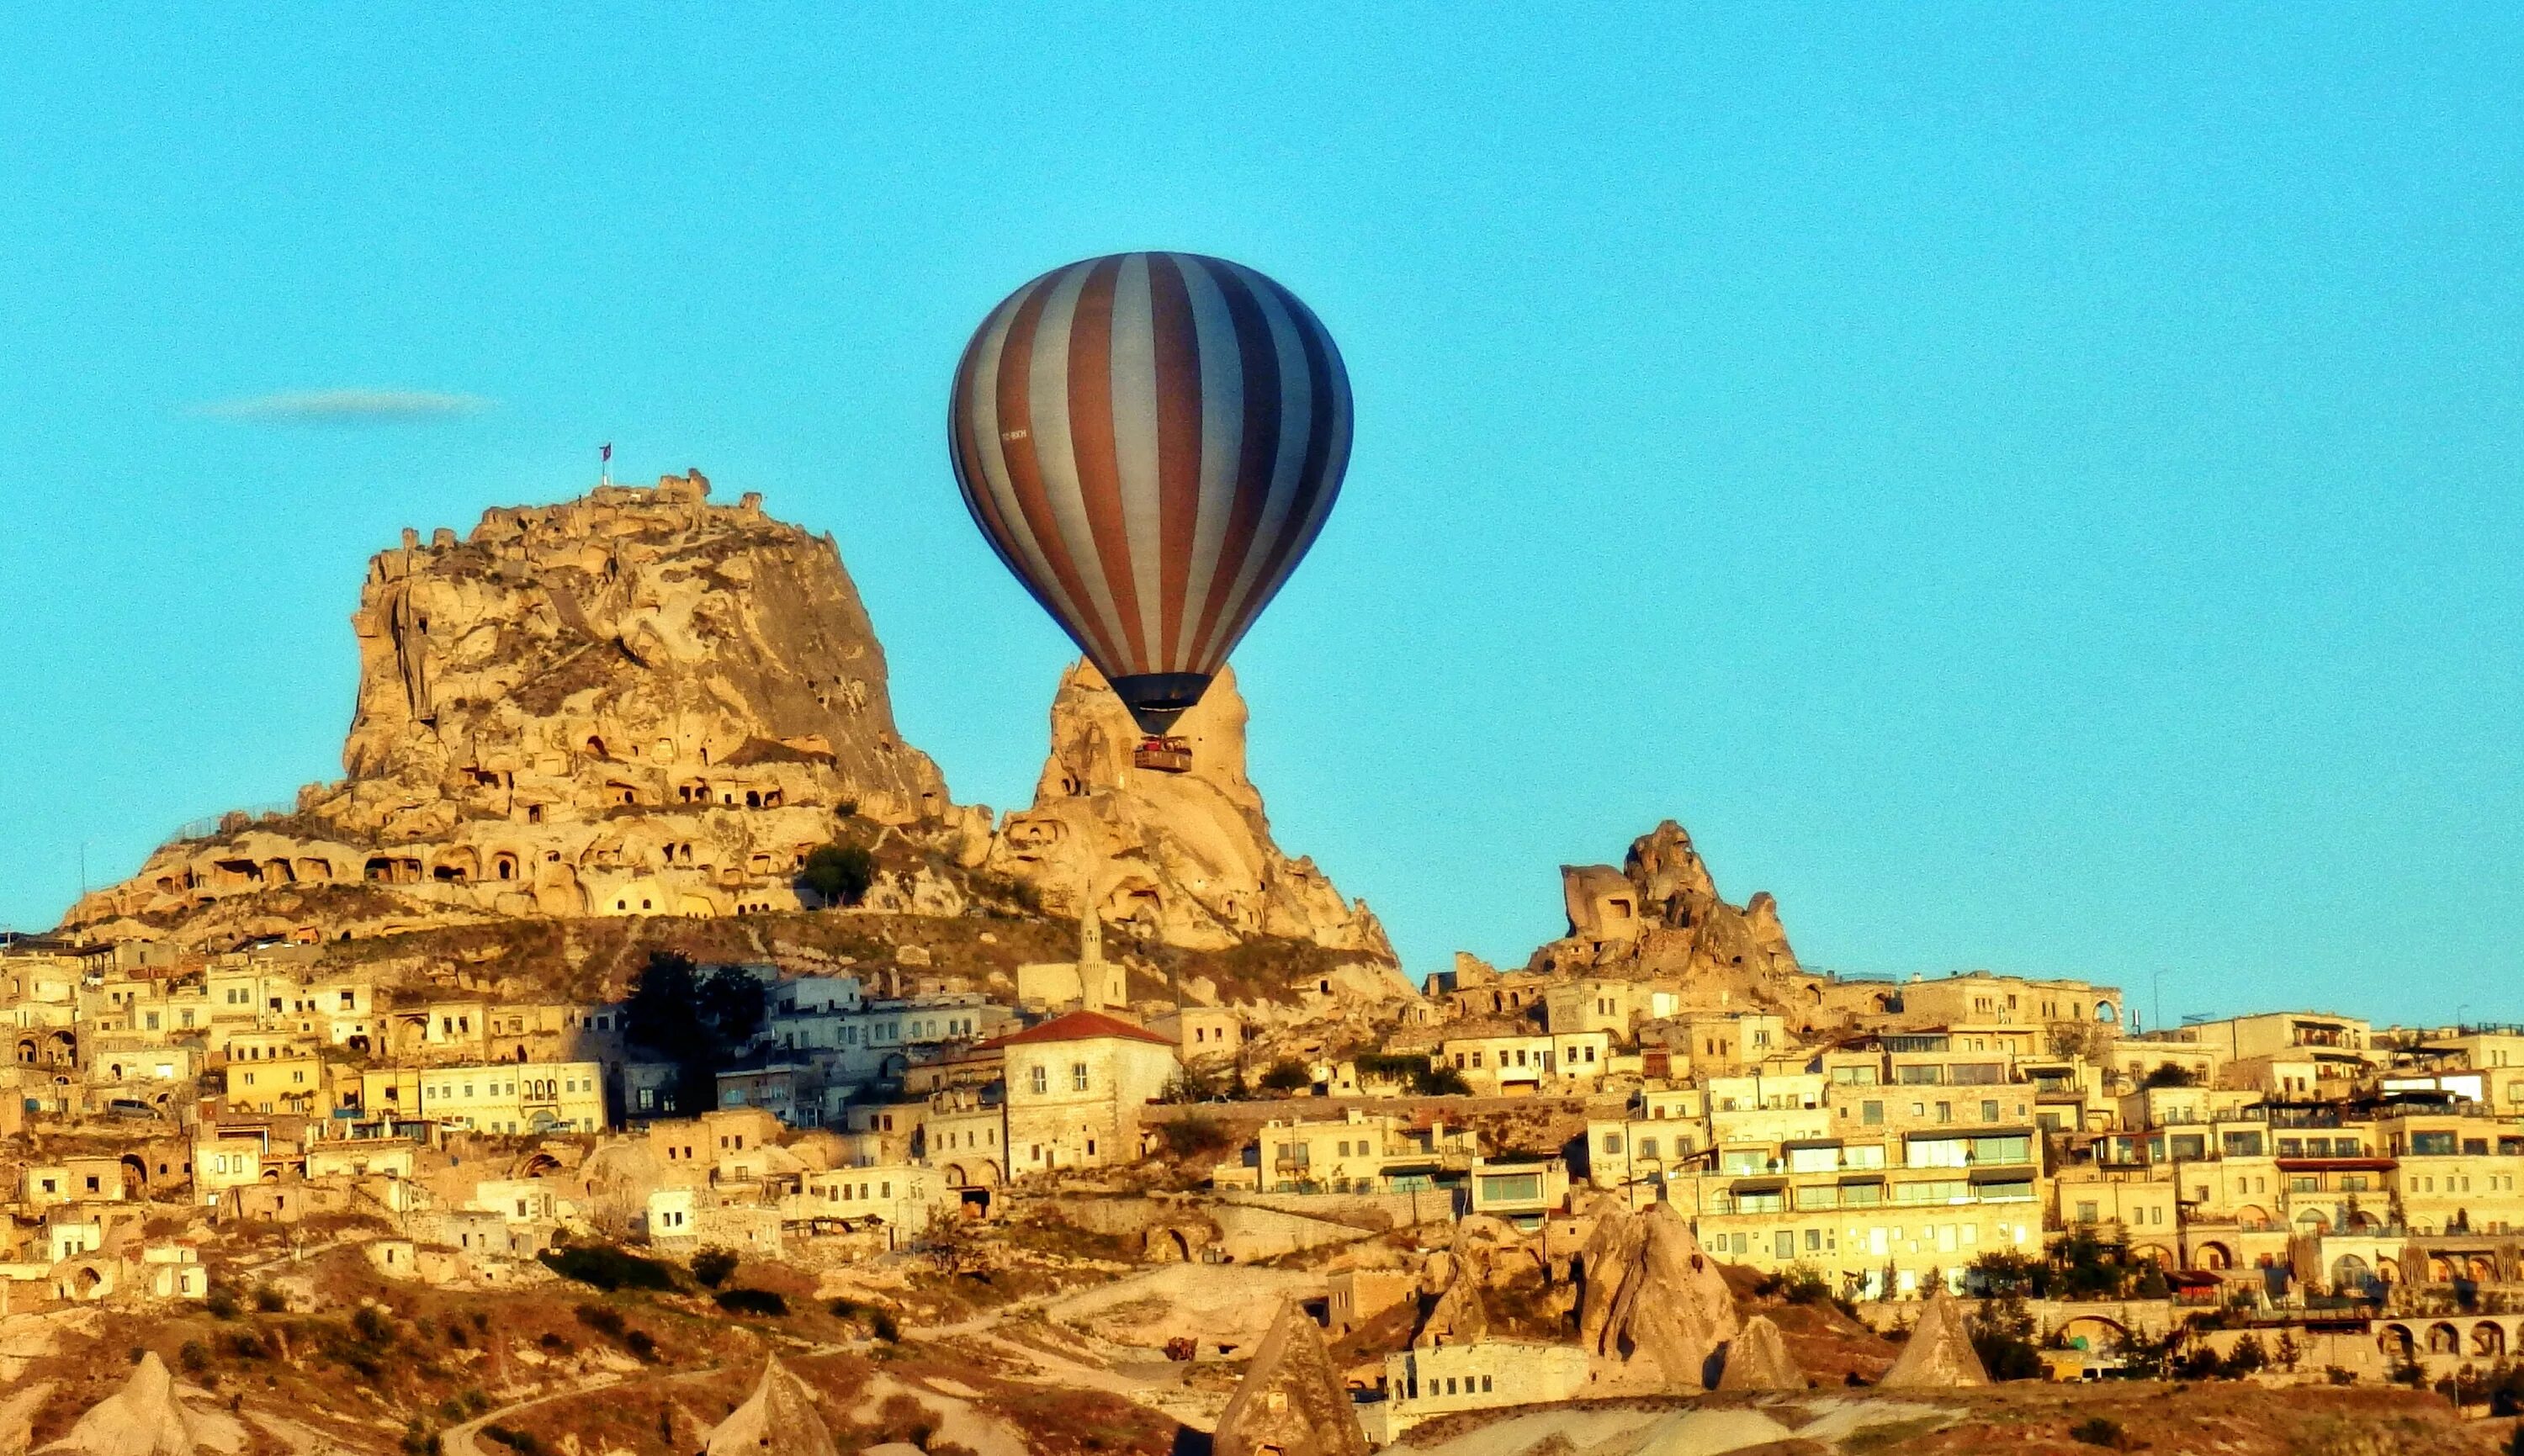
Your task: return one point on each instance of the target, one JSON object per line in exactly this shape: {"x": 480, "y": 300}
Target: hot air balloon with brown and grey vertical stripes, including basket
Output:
{"x": 1150, "y": 443}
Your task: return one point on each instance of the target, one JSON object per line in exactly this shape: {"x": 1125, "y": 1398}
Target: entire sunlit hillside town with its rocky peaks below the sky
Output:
{"x": 640, "y": 1054}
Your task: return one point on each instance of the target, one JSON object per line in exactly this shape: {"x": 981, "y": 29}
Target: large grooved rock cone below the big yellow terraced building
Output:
{"x": 1654, "y": 1308}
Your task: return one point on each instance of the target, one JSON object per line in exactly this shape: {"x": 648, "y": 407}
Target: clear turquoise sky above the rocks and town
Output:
{"x": 2033, "y": 488}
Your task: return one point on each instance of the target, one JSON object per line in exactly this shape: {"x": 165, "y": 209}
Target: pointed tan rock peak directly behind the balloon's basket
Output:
{"x": 1185, "y": 857}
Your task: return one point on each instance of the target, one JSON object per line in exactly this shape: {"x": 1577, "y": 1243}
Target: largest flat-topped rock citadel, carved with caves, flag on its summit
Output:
{"x": 635, "y": 703}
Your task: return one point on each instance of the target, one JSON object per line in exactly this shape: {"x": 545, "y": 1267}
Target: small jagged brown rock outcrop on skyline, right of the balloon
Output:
{"x": 1660, "y": 915}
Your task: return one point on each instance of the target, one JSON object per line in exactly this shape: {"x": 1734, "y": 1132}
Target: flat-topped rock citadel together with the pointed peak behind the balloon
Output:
{"x": 652, "y": 705}
